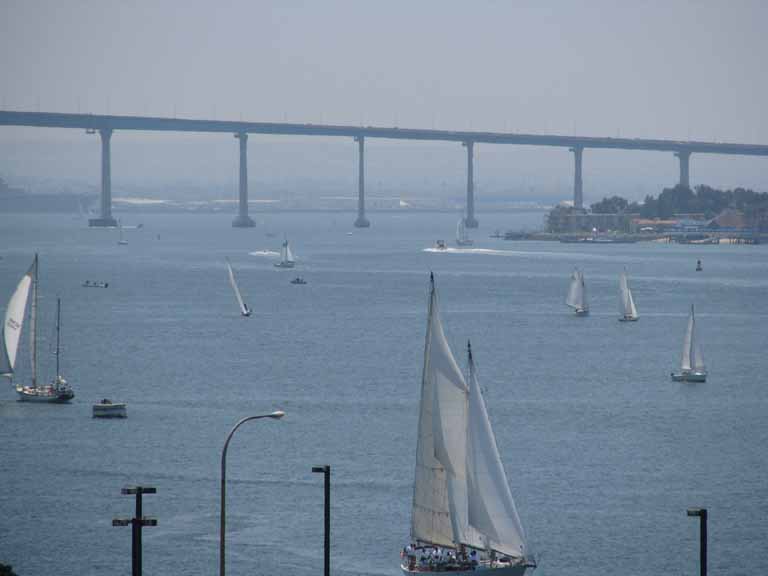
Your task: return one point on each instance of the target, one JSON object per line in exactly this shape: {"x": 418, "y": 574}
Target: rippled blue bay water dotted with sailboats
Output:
{"x": 603, "y": 452}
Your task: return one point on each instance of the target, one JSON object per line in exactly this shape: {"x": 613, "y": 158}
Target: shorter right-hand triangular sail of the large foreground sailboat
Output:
{"x": 492, "y": 511}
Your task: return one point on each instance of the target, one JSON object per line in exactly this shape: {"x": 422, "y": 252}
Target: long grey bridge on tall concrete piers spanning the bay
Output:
{"x": 106, "y": 125}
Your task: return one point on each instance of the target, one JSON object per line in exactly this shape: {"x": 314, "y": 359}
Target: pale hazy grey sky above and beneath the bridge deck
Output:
{"x": 666, "y": 69}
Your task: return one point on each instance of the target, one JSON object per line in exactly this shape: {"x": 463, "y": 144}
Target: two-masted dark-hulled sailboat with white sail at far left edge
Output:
{"x": 57, "y": 391}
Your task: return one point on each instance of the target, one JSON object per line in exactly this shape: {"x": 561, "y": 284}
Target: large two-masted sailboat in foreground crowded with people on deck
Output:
{"x": 463, "y": 520}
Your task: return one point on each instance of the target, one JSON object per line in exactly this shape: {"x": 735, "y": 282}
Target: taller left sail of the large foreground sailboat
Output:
{"x": 439, "y": 514}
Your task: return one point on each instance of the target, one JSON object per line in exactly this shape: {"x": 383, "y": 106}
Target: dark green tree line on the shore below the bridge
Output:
{"x": 683, "y": 200}
